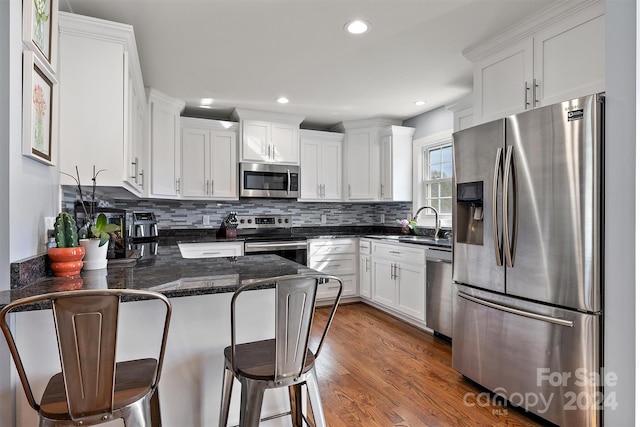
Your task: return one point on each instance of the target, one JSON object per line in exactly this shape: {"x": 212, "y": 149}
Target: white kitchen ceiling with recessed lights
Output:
{"x": 246, "y": 53}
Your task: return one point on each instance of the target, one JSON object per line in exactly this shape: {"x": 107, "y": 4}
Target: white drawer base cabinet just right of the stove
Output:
{"x": 337, "y": 257}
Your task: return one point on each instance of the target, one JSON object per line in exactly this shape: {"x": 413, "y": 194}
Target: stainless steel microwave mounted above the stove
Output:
{"x": 269, "y": 180}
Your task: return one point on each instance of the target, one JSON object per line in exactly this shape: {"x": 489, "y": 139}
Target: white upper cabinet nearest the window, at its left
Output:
{"x": 395, "y": 164}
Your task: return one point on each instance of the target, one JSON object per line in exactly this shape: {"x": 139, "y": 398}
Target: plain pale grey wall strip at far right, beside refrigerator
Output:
{"x": 620, "y": 309}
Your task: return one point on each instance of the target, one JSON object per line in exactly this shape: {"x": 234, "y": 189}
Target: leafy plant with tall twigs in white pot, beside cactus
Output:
{"x": 94, "y": 235}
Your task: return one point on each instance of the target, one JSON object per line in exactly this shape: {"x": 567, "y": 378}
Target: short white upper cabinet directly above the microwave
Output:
{"x": 268, "y": 137}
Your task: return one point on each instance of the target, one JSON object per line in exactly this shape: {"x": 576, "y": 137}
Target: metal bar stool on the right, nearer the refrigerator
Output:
{"x": 286, "y": 360}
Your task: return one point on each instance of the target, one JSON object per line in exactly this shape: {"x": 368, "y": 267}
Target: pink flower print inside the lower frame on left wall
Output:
{"x": 41, "y": 113}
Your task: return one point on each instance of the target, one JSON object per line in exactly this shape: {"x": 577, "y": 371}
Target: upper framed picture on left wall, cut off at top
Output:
{"x": 40, "y": 29}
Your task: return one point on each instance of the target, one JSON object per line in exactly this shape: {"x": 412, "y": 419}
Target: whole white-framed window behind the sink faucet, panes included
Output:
{"x": 433, "y": 179}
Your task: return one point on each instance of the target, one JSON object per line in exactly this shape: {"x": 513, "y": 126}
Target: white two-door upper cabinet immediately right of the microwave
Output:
{"x": 320, "y": 166}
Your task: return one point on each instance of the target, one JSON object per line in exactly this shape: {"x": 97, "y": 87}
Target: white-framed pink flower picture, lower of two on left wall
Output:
{"x": 39, "y": 110}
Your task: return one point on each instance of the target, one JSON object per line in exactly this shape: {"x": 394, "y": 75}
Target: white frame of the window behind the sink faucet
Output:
{"x": 420, "y": 146}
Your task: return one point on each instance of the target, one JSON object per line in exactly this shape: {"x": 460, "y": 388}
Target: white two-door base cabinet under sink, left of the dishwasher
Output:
{"x": 399, "y": 279}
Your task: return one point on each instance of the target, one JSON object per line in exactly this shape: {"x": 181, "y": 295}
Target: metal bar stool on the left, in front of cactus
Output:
{"x": 92, "y": 388}
